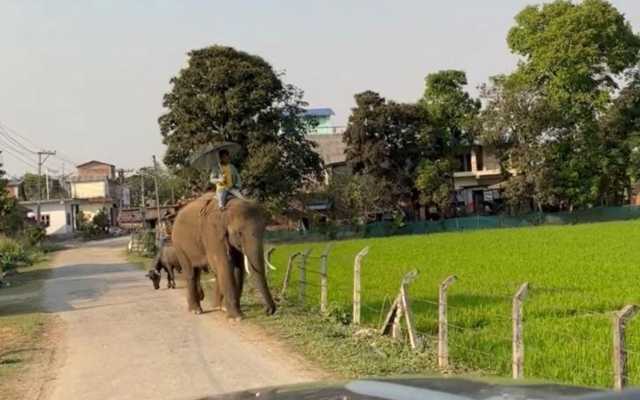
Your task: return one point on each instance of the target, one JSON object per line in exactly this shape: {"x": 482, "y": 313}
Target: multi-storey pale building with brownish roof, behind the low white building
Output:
{"x": 96, "y": 187}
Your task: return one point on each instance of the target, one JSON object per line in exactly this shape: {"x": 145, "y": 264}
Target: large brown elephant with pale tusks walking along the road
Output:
{"x": 203, "y": 235}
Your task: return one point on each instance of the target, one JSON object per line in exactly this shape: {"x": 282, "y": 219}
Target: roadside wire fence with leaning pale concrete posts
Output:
{"x": 472, "y": 337}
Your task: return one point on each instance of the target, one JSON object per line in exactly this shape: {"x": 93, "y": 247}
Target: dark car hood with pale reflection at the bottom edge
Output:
{"x": 424, "y": 389}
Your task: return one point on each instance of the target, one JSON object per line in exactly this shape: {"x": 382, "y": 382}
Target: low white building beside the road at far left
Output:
{"x": 57, "y": 216}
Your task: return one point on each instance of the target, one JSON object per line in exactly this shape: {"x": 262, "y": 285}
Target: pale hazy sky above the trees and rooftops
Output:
{"x": 86, "y": 78}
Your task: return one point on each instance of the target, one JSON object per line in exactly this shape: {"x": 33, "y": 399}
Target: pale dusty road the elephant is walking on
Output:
{"x": 123, "y": 340}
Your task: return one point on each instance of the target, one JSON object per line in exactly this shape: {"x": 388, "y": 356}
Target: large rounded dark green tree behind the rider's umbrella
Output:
{"x": 228, "y": 95}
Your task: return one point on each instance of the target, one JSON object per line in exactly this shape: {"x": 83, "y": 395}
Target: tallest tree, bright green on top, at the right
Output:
{"x": 544, "y": 117}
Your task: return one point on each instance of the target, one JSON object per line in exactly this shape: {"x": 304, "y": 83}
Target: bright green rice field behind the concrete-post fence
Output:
{"x": 578, "y": 275}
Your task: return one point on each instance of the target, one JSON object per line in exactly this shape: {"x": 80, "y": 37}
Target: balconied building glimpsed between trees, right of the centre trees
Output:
{"x": 478, "y": 182}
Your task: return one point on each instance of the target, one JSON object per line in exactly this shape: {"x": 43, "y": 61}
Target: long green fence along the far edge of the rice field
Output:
{"x": 381, "y": 229}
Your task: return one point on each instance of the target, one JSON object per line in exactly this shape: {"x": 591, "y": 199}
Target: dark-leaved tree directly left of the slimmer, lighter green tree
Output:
{"x": 382, "y": 140}
